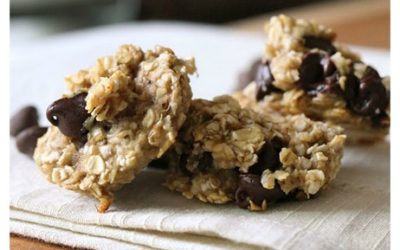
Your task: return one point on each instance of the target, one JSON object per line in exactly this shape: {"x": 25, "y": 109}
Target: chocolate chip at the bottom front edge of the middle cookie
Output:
{"x": 250, "y": 188}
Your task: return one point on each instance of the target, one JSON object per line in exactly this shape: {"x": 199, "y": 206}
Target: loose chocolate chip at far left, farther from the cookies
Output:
{"x": 22, "y": 119}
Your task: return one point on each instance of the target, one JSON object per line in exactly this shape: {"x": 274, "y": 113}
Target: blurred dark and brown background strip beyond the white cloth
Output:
{"x": 31, "y": 19}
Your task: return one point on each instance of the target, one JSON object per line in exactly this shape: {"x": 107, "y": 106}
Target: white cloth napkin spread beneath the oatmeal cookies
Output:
{"x": 352, "y": 214}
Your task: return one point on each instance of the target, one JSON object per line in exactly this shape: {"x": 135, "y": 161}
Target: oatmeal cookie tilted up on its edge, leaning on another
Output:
{"x": 117, "y": 116}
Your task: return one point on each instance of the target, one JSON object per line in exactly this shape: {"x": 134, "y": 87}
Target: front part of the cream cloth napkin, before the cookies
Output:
{"x": 352, "y": 214}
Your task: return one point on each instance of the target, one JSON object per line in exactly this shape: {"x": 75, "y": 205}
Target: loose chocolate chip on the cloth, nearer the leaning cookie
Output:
{"x": 26, "y": 140}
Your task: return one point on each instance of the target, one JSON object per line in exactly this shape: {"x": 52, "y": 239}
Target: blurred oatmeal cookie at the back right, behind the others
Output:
{"x": 303, "y": 71}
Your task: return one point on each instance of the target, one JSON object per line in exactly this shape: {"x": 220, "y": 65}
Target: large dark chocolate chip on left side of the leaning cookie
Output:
{"x": 68, "y": 114}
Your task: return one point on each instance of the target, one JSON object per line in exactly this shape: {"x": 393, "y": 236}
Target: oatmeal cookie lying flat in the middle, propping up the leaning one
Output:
{"x": 225, "y": 153}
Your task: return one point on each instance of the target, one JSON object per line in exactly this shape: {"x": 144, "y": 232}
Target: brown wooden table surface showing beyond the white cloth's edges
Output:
{"x": 365, "y": 22}
